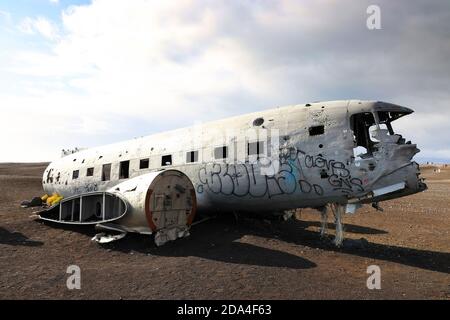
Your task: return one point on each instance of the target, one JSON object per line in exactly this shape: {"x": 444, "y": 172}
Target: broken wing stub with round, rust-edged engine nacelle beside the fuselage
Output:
{"x": 162, "y": 203}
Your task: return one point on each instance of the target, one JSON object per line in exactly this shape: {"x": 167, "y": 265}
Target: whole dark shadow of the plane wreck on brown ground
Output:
{"x": 217, "y": 239}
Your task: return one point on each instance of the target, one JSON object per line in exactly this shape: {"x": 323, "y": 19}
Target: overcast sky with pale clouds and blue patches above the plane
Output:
{"x": 87, "y": 73}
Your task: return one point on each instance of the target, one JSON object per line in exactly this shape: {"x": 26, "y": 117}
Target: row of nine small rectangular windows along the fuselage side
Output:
{"x": 253, "y": 148}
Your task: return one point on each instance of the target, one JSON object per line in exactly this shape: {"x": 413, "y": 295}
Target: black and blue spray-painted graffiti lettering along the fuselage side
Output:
{"x": 245, "y": 179}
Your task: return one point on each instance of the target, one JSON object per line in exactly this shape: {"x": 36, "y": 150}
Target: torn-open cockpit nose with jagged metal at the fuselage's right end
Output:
{"x": 382, "y": 157}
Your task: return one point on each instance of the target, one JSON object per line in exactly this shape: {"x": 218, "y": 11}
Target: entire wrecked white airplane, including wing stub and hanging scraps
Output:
{"x": 334, "y": 155}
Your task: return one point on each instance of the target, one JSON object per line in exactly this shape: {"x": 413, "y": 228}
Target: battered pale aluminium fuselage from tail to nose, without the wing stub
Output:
{"x": 341, "y": 152}
